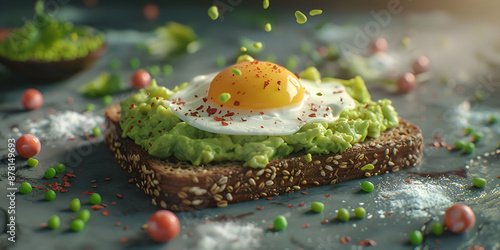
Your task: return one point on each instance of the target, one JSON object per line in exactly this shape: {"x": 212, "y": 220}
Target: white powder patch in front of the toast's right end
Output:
{"x": 416, "y": 199}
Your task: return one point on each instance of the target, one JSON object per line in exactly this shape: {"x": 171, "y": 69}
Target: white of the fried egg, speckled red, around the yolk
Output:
{"x": 322, "y": 102}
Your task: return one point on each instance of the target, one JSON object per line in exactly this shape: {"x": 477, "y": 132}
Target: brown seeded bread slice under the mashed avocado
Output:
{"x": 180, "y": 186}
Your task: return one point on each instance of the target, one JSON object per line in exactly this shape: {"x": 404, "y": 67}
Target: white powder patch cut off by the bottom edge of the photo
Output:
{"x": 227, "y": 235}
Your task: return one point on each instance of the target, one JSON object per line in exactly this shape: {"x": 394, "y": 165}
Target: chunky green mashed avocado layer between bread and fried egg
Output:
{"x": 151, "y": 124}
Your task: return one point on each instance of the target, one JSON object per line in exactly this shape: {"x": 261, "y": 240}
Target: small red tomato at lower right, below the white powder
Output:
{"x": 459, "y": 218}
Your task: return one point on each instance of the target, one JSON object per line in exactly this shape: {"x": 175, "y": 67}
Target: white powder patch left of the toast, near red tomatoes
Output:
{"x": 61, "y": 125}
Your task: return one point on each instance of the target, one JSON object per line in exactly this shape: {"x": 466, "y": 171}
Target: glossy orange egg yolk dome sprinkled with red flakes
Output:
{"x": 261, "y": 85}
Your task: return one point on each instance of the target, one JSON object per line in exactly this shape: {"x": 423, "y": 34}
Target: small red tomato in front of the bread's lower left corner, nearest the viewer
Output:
{"x": 163, "y": 226}
